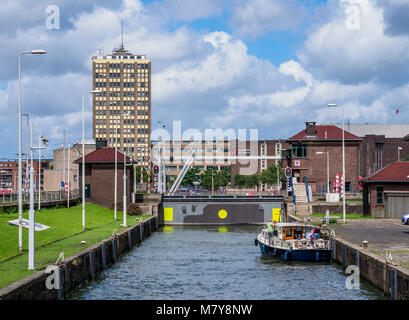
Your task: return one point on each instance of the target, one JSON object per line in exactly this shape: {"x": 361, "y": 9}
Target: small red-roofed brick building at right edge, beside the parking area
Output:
{"x": 386, "y": 192}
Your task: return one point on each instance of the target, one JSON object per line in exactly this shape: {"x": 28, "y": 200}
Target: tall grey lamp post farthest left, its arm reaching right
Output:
{"x": 20, "y": 172}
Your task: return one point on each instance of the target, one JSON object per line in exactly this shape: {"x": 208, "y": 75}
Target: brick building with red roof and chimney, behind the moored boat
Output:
{"x": 305, "y": 161}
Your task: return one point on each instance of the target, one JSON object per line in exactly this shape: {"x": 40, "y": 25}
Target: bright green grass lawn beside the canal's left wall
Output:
{"x": 65, "y": 235}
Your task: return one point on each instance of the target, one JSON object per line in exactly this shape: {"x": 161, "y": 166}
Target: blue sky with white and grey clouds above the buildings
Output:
{"x": 269, "y": 65}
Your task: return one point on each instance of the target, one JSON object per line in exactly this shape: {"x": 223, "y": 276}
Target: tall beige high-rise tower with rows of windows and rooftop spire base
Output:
{"x": 122, "y": 108}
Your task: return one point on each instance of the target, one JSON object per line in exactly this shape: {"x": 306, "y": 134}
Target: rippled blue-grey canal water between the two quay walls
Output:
{"x": 216, "y": 263}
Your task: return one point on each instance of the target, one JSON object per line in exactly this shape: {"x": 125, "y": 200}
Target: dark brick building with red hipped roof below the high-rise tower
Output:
{"x": 100, "y": 177}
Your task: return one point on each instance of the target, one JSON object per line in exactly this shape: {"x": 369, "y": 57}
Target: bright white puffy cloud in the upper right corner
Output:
{"x": 335, "y": 51}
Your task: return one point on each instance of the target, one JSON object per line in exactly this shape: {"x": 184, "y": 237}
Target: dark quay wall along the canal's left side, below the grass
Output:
{"x": 81, "y": 267}
